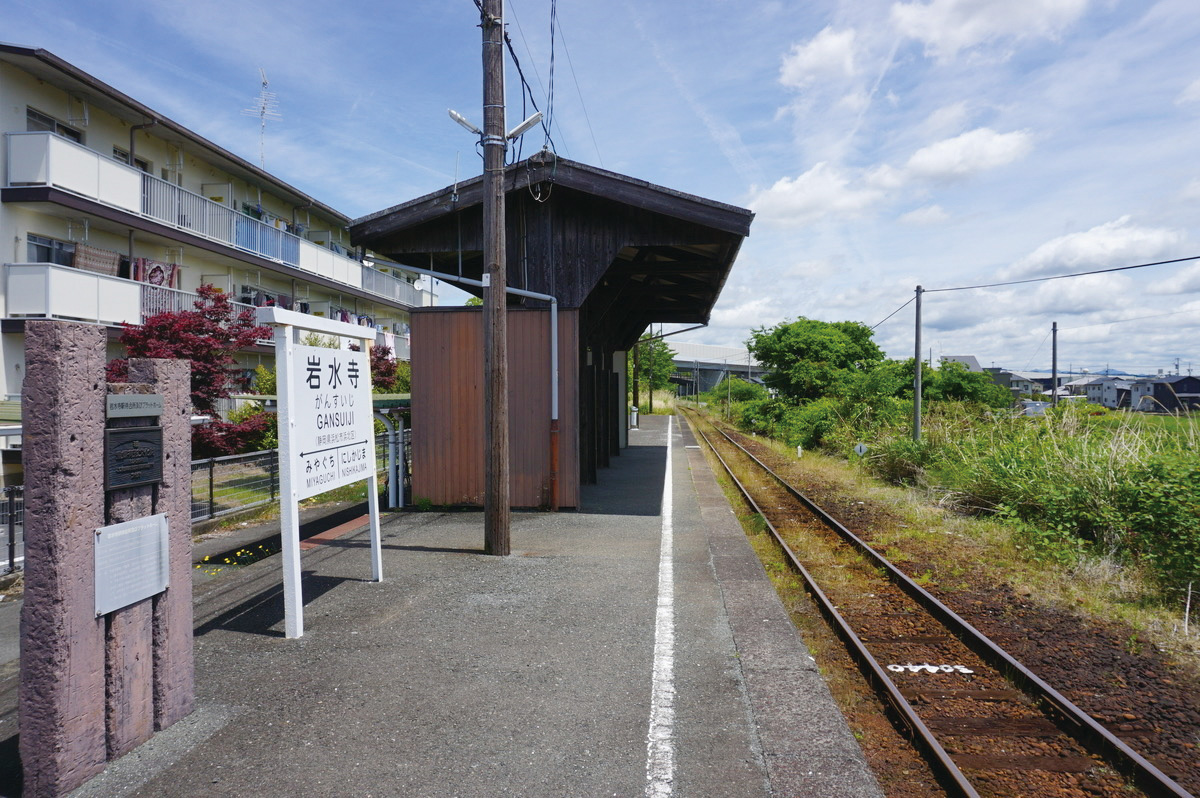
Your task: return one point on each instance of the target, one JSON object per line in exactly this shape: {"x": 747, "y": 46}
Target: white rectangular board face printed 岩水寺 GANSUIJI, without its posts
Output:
{"x": 333, "y": 429}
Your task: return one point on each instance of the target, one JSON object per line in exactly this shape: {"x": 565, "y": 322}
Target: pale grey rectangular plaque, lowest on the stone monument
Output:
{"x": 131, "y": 562}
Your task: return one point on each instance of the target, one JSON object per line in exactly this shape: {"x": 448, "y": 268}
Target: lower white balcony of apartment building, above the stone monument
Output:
{"x": 50, "y": 291}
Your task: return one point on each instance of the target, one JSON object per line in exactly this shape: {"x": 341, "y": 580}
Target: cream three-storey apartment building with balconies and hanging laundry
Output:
{"x": 111, "y": 213}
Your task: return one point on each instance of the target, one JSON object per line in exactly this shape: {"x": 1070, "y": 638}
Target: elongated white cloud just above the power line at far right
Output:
{"x": 1112, "y": 244}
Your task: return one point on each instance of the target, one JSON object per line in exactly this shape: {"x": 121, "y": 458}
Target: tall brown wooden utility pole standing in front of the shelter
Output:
{"x": 496, "y": 350}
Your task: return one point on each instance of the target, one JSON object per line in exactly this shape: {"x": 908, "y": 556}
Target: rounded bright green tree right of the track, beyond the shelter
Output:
{"x": 809, "y": 359}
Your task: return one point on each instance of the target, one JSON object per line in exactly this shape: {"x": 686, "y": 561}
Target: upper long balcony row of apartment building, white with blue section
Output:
{"x": 49, "y": 160}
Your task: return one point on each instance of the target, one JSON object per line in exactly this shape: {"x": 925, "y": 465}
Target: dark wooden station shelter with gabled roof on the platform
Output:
{"x": 617, "y": 255}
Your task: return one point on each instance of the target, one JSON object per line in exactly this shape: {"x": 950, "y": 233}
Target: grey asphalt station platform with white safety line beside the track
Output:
{"x": 533, "y": 675}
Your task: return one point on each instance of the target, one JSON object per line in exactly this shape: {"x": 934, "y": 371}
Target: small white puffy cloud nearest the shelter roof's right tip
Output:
{"x": 821, "y": 191}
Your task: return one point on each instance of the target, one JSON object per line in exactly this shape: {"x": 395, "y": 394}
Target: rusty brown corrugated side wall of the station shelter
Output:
{"x": 448, "y": 407}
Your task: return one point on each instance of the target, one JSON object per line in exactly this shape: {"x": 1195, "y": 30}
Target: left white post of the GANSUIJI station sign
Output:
{"x": 290, "y": 509}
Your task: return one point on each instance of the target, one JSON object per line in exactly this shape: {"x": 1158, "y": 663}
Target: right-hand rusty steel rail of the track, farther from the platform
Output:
{"x": 1082, "y": 727}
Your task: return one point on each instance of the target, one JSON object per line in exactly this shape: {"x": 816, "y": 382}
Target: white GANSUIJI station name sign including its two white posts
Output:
{"x": 327, "y": 434}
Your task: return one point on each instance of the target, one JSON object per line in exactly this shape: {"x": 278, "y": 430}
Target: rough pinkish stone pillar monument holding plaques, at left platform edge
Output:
{"x": 94, "y": 688}
